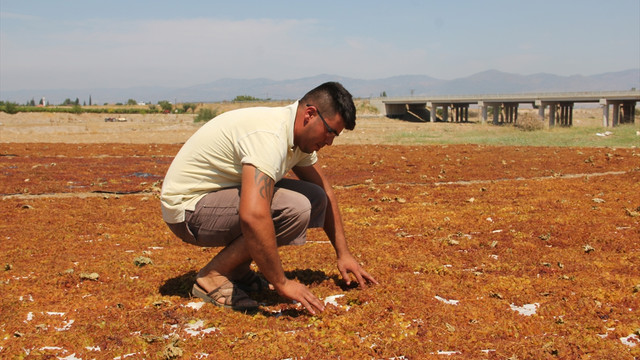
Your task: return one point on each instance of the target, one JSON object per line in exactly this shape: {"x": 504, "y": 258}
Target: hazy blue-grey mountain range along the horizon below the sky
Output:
{"x": 487, "y": 82}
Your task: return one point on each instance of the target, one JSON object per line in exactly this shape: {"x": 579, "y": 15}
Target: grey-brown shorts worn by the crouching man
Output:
{"x": 296, "y": 206}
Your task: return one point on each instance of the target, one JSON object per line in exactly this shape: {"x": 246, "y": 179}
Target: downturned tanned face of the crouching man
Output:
{"x": 319, "y": 131}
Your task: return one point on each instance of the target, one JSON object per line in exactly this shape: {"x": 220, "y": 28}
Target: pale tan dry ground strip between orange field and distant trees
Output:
{"x": 177, "y": 128}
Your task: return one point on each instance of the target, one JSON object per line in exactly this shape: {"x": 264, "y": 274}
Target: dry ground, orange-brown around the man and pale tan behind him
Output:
{"x": 481, "y": 251}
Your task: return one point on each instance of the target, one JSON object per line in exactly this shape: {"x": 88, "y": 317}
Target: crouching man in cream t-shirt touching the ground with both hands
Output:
{"x": 225, "y": 188}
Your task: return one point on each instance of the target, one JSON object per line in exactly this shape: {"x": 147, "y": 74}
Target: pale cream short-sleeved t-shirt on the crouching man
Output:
{"x": 213, "y": 157}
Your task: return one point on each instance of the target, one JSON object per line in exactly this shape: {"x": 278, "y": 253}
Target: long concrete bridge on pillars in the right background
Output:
{"x": 505, "y": 107}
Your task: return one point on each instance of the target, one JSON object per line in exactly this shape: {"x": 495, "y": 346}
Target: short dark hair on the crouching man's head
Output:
{"x": 332, "y": 98}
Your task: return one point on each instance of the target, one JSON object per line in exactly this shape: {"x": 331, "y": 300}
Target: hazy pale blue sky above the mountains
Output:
{"x": 71, "y": 44}
